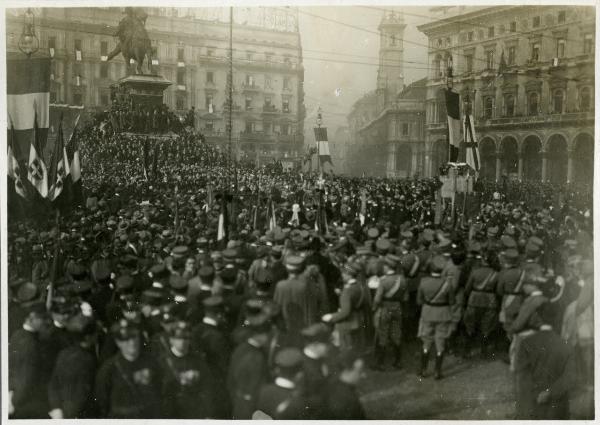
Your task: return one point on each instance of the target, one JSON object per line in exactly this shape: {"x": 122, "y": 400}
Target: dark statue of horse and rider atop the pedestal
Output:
{"x": 133, "y": 40}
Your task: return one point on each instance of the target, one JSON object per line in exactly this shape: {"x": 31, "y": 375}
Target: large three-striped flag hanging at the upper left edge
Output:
{"x": 28, "y": 102}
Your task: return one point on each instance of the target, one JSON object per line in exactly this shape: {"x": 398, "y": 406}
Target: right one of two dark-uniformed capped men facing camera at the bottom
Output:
{"x": 188, "y": 383}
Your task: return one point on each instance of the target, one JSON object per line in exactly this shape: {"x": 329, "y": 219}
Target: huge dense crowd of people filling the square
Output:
{"x": 187, "y": 288}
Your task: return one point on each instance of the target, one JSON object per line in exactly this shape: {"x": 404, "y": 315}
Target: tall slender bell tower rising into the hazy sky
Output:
{"x": 390, "y": 75}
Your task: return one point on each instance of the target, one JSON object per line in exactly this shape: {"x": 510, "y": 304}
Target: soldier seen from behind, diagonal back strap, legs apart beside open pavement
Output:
{"x": 436, "y": 295}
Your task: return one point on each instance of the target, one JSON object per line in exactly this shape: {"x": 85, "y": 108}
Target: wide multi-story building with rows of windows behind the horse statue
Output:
{"x": 191, "y": 47}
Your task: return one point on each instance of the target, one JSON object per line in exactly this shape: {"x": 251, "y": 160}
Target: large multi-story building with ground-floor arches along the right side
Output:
{"x": 527, "y": 75}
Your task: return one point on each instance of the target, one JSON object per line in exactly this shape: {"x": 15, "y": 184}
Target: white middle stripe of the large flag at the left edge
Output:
{"x": 23, "y": 109}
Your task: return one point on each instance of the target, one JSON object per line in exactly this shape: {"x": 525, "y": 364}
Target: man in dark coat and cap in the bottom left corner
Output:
{"x": 27, "y": 378}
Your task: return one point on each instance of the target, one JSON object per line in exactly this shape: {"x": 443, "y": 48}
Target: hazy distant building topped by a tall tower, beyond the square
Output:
{"x": 387, "y": 125}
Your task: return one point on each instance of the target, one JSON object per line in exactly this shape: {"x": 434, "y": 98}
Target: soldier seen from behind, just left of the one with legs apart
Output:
{"x": 387, "y": 305}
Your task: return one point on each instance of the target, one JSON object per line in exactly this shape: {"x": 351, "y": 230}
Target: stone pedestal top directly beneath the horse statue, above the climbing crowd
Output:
{"x": 140, "y": 90}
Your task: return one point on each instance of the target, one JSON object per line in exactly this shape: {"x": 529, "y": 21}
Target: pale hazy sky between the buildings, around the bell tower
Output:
{"x": 337, "y": 56}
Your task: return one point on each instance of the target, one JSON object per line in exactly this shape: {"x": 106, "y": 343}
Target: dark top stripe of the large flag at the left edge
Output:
{"x": 25, "y": 75}
